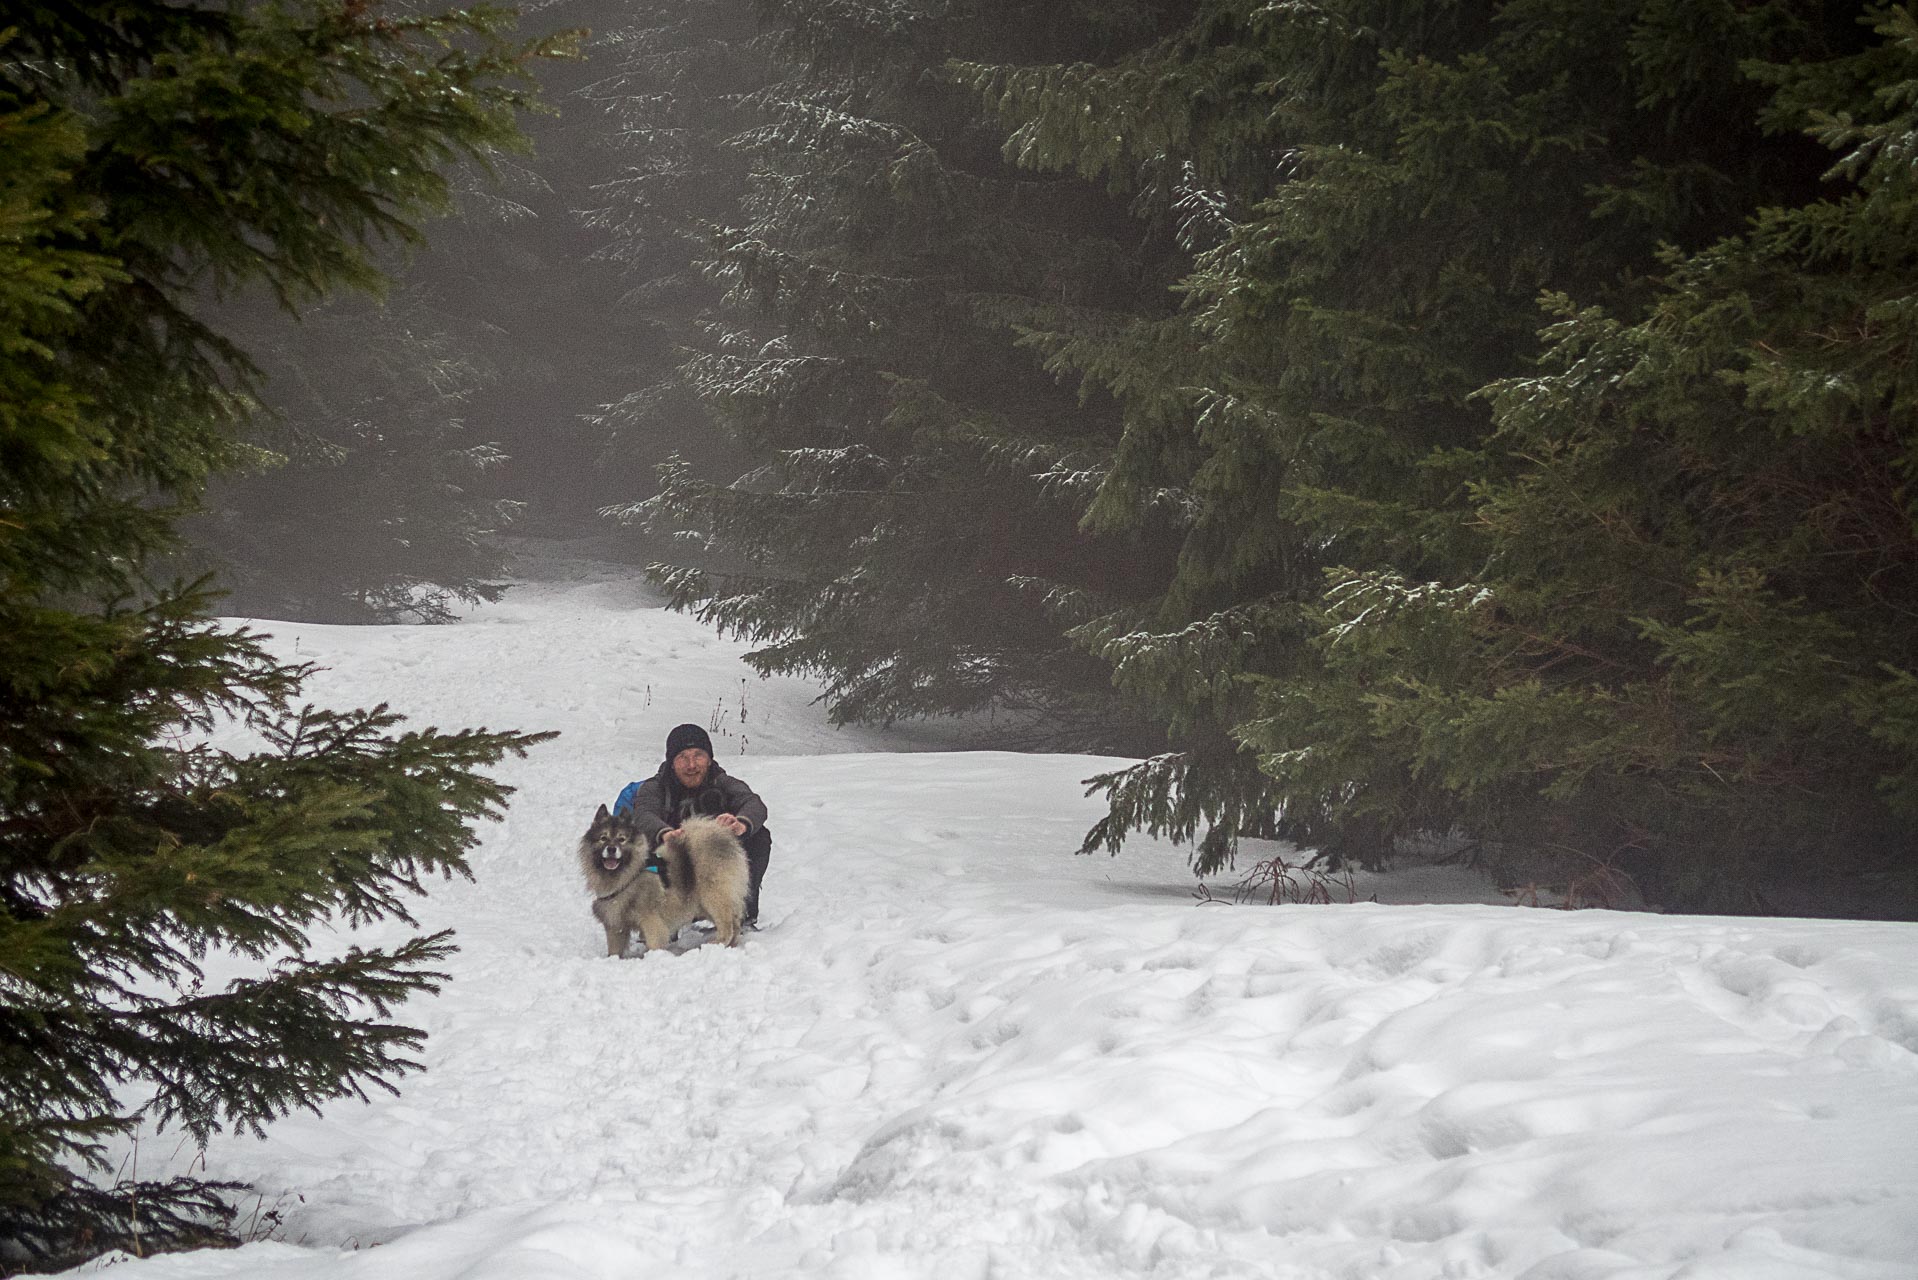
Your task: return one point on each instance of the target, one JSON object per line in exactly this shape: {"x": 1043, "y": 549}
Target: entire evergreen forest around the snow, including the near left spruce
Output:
{"x": 1393, "y": 425}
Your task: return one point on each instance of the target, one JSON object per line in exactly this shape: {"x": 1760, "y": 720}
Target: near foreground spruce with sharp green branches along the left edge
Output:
{"x": 156, "y": 156}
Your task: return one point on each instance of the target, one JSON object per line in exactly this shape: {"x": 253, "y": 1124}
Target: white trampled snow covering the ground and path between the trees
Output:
{"x": 958, "y": 1053}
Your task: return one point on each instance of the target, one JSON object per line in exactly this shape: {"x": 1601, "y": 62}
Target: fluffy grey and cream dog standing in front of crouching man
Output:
{"x": 699, "y": 872}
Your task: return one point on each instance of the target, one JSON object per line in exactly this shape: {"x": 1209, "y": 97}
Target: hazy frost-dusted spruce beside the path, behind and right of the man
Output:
{"x": 912, "y": 531}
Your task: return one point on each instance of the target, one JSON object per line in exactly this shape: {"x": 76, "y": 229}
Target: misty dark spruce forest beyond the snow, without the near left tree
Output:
{"x": 1393, "y": 421}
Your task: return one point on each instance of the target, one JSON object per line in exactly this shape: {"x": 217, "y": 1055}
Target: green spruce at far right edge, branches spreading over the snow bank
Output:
{"x": 1689, "y": 646}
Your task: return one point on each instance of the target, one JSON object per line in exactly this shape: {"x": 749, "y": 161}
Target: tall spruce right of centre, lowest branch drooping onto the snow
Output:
{"x": 1380, "y": 193}
